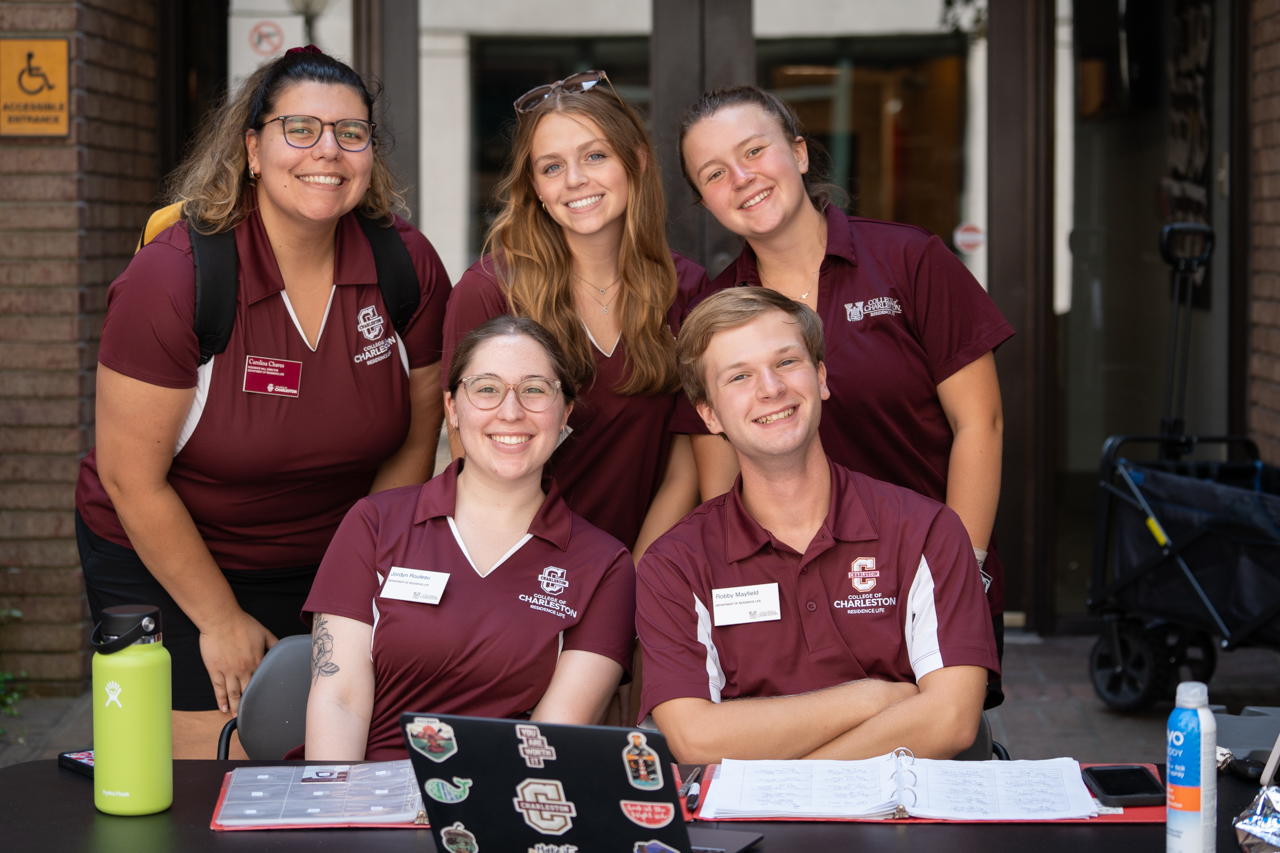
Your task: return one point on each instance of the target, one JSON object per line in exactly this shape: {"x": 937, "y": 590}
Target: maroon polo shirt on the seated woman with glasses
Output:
{"x": 490, "y": 649}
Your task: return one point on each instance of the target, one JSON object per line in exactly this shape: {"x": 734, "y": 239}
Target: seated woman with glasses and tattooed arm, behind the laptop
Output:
{"x": 481, "y": 592}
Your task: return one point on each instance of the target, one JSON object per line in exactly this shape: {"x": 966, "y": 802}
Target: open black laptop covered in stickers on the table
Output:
{"x": 504, "y": 786}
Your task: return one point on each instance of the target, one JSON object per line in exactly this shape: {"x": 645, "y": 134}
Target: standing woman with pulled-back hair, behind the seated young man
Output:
{"x": 911, "y": 334}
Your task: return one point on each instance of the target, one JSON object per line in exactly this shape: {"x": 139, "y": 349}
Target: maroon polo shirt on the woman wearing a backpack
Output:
{"x": 268, "y": 478}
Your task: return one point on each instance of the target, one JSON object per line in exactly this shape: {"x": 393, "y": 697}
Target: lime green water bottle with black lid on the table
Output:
{"x": 132, "y": 703}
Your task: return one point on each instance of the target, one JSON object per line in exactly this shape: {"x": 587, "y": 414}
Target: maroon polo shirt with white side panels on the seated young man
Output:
{"x": 889, "y": 590}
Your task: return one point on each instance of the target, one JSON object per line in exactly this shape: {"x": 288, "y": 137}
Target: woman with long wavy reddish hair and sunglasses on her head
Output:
{"x": 580, "y": 248}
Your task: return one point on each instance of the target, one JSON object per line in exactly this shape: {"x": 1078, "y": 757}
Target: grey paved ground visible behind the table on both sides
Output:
{"x": 1050, "y": 711}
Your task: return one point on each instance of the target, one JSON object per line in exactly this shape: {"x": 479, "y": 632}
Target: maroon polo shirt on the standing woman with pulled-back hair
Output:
{"x": 900, "y": 314}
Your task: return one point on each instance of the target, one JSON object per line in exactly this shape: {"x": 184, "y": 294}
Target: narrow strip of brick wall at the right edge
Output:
{"x": 1265, "y": 262}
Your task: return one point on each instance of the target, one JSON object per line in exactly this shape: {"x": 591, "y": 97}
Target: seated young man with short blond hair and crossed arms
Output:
{"x": 811, "y": 613}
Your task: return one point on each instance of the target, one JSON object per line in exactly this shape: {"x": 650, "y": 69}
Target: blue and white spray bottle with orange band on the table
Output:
{"x": 1192, "y": 799}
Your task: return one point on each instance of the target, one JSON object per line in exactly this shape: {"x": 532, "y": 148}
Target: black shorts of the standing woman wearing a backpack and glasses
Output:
{"x": 116, "y": 576}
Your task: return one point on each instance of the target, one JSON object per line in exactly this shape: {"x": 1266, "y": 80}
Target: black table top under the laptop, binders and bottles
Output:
{"x": 48, "y": 810}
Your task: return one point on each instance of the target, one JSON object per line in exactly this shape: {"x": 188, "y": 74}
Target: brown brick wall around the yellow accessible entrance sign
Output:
{"x": 70, "y": 213}
